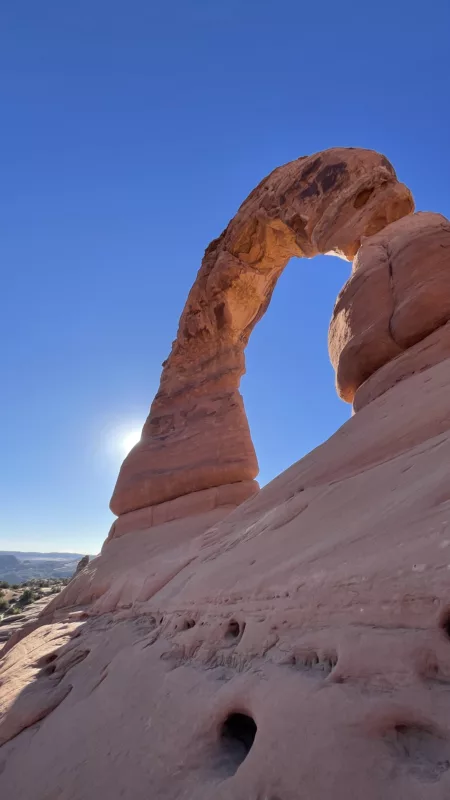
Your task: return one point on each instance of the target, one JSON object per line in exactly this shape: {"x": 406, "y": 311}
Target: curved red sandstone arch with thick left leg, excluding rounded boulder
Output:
{"x": 196, "y": 436}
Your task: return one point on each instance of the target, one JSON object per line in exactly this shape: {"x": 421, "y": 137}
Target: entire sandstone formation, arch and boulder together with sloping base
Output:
{"x": 298, "y": 645}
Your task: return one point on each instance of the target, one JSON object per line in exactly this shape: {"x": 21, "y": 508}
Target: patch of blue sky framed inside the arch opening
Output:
{"x": 288, "y": 387}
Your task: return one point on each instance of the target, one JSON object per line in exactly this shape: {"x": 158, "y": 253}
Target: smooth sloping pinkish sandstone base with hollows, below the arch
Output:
{"x": 318, "y": 609}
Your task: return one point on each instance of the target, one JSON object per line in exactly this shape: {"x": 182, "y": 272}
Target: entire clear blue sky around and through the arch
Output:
{"x": 131, "y": 131}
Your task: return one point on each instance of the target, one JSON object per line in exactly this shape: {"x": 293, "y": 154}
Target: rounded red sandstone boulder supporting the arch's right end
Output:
{"x": 398, "y": 293}
